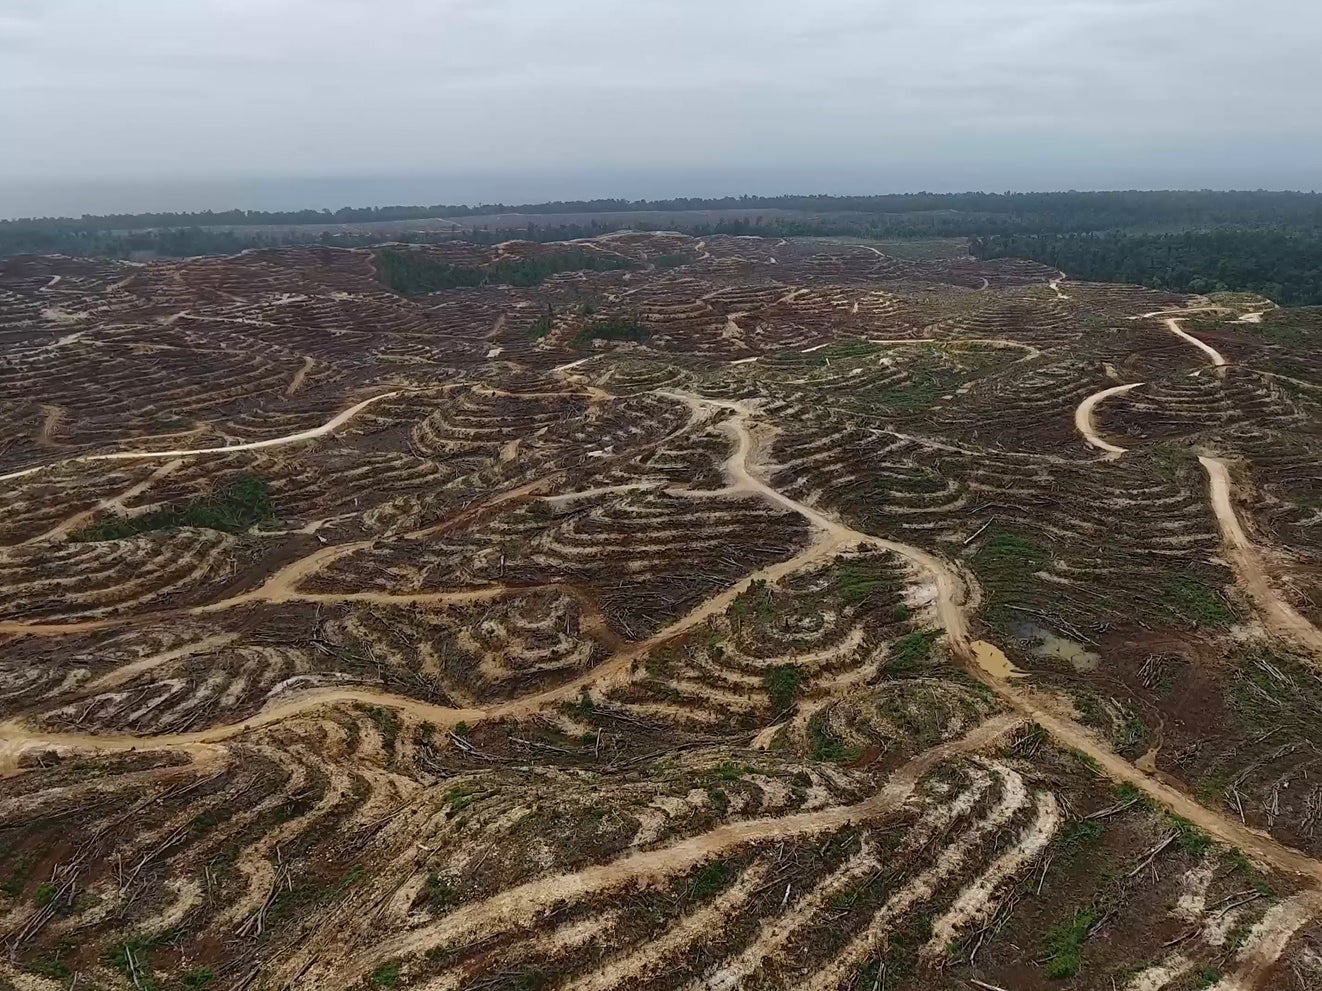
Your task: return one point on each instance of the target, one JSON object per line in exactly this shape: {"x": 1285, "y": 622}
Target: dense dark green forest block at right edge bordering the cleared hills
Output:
{"x": 1283, "y": 265}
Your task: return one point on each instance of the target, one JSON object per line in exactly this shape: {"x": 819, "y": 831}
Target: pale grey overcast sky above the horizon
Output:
{"x": 110, "y": 105}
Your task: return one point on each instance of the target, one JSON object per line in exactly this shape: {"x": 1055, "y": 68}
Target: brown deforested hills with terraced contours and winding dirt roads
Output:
{"x": 693, "y": 614}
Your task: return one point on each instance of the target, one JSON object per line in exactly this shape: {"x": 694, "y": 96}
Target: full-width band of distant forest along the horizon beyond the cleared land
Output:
{"x": 1192, "y": 241}
